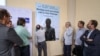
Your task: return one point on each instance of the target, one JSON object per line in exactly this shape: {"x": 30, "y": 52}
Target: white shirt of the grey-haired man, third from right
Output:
{"x": 68, "y": 36}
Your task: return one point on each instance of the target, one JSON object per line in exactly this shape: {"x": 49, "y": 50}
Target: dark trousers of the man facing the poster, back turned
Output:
{"x": 42, "y": 46}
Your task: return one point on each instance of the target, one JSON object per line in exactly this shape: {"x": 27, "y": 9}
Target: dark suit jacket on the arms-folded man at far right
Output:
{"x": 93, "y": 48}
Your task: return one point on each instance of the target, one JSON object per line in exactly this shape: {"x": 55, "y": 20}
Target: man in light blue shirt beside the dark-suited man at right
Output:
{"x": 78, "y": 42}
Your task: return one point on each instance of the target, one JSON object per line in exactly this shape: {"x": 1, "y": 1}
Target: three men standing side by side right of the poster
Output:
{"x": 86, "y": 40}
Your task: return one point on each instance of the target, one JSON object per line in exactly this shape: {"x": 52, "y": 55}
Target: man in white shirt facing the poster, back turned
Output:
{"x": 40, "y": 40}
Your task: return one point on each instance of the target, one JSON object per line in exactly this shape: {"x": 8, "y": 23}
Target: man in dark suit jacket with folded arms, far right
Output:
{"x": 91, "y": 39}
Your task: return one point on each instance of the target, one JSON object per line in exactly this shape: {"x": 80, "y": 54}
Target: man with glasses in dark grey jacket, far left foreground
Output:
{"x": 8, "y": 36}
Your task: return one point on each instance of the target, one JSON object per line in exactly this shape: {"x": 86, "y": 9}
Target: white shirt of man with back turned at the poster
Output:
{"x": 40, "y": 36}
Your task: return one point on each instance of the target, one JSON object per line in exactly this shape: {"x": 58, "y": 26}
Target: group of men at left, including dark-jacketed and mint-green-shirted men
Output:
{"x": 14, "y": 41}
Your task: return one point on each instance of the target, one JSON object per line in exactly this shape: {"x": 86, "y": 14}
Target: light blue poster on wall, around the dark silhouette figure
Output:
{"x": 44, "y": 11}
